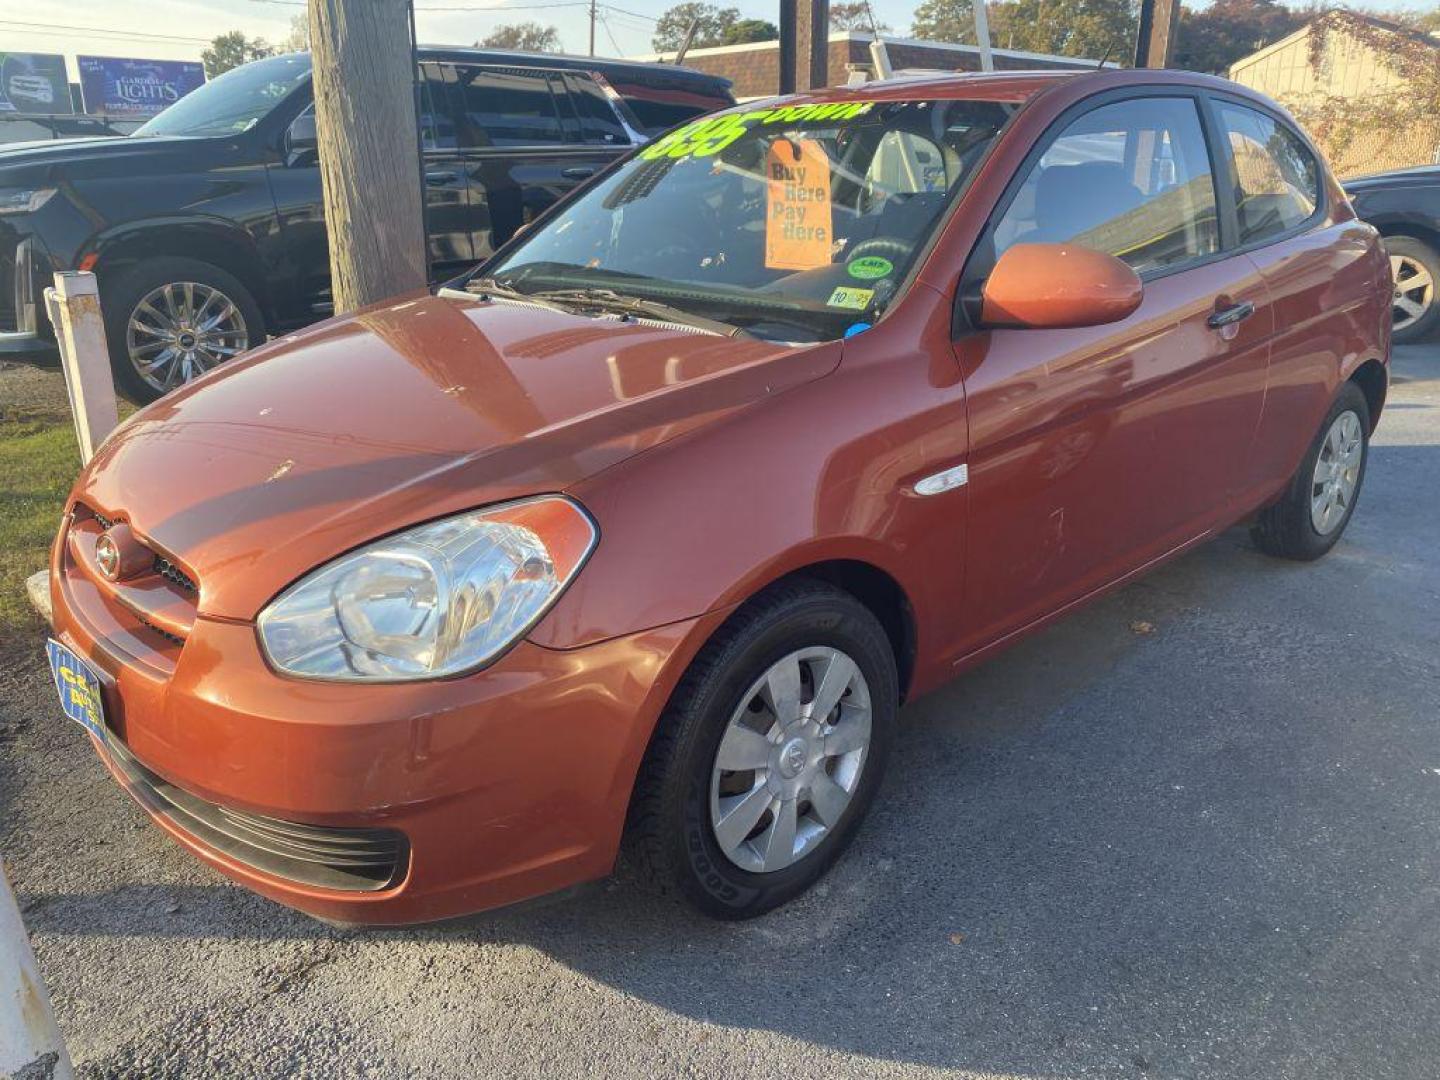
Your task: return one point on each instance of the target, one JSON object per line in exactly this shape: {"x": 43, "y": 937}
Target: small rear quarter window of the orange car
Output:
{"x": 1277, "y": 179}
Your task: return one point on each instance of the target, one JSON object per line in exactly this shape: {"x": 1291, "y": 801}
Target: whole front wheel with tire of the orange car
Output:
{"x": 770, "y": 752}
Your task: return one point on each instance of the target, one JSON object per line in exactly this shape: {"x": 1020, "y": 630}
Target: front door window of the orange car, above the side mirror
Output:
{"x": 1130, "y": 179}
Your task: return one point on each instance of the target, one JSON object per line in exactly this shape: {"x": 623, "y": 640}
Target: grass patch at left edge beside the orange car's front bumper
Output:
{"x": 38, "y": 466}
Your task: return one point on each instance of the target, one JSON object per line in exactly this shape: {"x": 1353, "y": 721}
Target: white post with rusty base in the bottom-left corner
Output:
{"x": 31, "y": 1042}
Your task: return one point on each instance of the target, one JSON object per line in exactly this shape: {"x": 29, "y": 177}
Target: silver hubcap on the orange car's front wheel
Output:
{"x": 790, "y": 760}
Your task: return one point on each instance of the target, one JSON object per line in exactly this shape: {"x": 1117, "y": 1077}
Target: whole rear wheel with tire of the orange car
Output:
{"x": 1321, "y": 499}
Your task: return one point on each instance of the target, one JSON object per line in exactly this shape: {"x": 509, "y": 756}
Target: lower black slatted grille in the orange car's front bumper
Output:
{"x": 345, "y": 859}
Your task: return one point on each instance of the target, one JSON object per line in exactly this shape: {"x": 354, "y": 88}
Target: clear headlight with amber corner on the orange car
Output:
{"x": 434, "y": 601}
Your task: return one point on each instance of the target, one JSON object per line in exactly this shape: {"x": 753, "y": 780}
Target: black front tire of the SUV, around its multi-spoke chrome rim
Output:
{"x": 123, "y": 293}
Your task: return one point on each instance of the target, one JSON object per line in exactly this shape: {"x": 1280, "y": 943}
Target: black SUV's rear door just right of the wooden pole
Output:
{"x": 522, "y": 146}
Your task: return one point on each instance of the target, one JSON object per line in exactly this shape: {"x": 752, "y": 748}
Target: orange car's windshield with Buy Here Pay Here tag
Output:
{"x": 796, "y": 222}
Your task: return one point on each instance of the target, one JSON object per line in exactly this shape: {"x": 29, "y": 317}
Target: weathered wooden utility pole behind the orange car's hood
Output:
{"x": 364, "y": 60}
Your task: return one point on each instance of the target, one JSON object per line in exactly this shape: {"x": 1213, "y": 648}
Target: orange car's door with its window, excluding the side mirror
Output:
{"x": 1098, "y": 450}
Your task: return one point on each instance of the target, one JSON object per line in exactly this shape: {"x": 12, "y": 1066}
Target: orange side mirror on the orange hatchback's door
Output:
{"x": 1059, "y": 286}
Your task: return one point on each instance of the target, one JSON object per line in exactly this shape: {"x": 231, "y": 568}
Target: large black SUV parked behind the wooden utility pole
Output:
{"x": 205, "y": 225}
